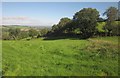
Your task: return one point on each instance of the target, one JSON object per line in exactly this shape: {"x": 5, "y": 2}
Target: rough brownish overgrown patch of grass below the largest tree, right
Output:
{"x": 103, "y": 48}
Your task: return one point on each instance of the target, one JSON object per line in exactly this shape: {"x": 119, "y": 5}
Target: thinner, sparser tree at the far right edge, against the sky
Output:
{"x": 112, "y": 15}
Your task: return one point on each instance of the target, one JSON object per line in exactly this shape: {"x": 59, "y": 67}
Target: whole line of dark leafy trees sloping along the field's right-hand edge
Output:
{"x": 85, "y": 24}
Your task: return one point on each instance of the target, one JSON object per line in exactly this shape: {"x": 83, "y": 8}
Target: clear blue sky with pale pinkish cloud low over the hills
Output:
{"x": 45, "y": 13}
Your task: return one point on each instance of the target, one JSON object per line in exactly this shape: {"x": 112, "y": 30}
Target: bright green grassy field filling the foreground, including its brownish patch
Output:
{"x": 64, "y": 57}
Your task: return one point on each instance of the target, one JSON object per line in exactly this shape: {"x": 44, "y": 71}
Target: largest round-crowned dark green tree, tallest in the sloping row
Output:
{"x": 86, "y": 20}
